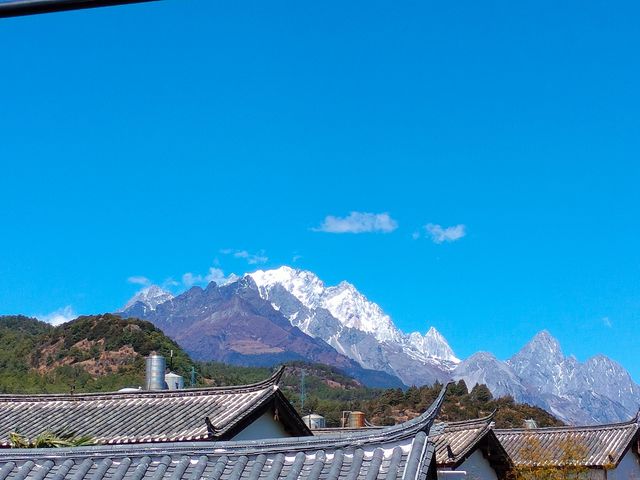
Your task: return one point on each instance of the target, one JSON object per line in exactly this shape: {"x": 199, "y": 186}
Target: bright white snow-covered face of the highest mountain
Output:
{"x": 355, "y": 326}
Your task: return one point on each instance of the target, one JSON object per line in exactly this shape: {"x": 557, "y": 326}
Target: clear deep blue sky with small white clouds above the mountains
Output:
{"x": 162, "y": 139}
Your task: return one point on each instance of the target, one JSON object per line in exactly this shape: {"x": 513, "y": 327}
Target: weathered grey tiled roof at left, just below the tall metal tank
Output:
{"x": 148, "y": 416}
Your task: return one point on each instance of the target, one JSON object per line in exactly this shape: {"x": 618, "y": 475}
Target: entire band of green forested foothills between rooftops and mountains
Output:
{"x": 106, "y": 352}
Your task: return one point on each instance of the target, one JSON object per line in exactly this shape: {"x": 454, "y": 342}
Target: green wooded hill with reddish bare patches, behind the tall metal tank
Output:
{"x": 92, "y": 353}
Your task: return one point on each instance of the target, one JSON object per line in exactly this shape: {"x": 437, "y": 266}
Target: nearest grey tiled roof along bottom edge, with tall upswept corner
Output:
{"x": 399, "y": 452}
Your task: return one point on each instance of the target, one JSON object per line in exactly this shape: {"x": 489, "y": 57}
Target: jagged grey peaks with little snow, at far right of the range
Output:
{"x": 598, "y": 390}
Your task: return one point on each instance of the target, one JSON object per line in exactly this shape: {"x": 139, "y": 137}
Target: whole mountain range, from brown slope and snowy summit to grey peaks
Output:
{"x": 270, "y": 316}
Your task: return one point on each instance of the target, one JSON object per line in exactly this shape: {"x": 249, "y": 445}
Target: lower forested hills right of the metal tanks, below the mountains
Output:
{"x": 328, "y": 392}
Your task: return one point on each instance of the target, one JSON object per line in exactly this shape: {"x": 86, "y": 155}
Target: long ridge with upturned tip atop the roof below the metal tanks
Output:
{"x": 271, "y": 381}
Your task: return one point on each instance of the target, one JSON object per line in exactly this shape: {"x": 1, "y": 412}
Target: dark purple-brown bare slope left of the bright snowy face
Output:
{"x": 232, "y": 323}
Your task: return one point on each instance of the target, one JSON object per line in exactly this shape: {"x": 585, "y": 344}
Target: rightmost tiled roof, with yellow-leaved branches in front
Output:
{"x": 593, "y": 446}
